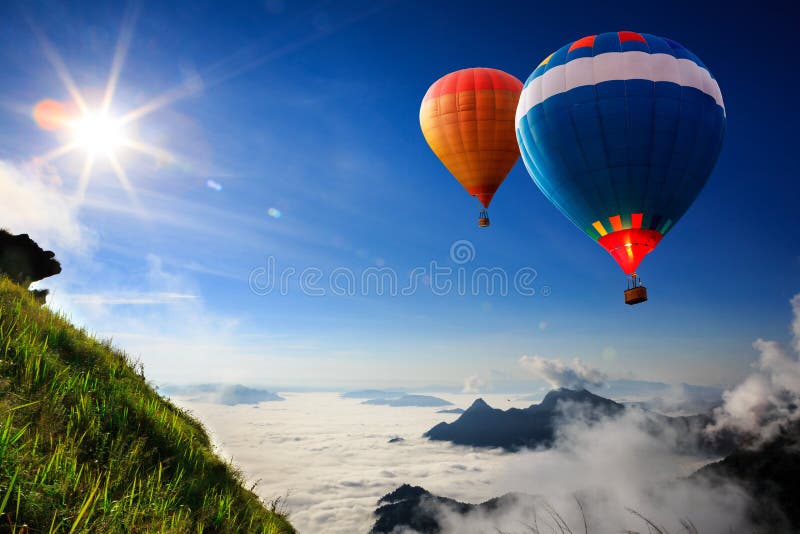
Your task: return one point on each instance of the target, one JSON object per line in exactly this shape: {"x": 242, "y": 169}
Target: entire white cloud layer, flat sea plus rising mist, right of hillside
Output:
{"x": 332, "y": 457}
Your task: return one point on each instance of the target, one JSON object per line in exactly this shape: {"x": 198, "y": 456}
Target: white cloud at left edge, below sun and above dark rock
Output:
{"x": 34, "y": 204}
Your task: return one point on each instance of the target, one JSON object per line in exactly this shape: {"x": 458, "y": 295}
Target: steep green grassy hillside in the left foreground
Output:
{"x": 87, "y": 445}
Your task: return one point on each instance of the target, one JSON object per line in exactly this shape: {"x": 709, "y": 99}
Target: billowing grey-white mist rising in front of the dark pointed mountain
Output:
{"x": 611, "y": 467}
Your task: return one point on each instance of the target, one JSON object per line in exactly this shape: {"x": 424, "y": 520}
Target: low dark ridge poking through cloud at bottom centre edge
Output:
{"x": 413, "y": 507}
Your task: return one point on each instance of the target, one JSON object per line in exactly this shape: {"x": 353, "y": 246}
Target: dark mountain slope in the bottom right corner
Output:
{"x": 771, "y": 474}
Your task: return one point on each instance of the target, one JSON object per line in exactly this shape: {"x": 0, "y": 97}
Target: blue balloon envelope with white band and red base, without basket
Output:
{"x": 621, "y": 132}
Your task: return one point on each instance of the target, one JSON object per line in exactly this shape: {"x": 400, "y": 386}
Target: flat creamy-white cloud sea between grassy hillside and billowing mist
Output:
{"x": 332, "y": 456}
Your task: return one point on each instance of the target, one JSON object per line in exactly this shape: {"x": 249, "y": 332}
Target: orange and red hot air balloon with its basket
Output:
{"x": 467, "y": 118}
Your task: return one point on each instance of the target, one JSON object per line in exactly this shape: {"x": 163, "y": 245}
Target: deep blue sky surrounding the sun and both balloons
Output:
{"x": 311, "y": 109}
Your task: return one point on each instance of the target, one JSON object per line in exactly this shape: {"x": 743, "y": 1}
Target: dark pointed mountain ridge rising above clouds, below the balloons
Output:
{"x": 483, "y": 426}
